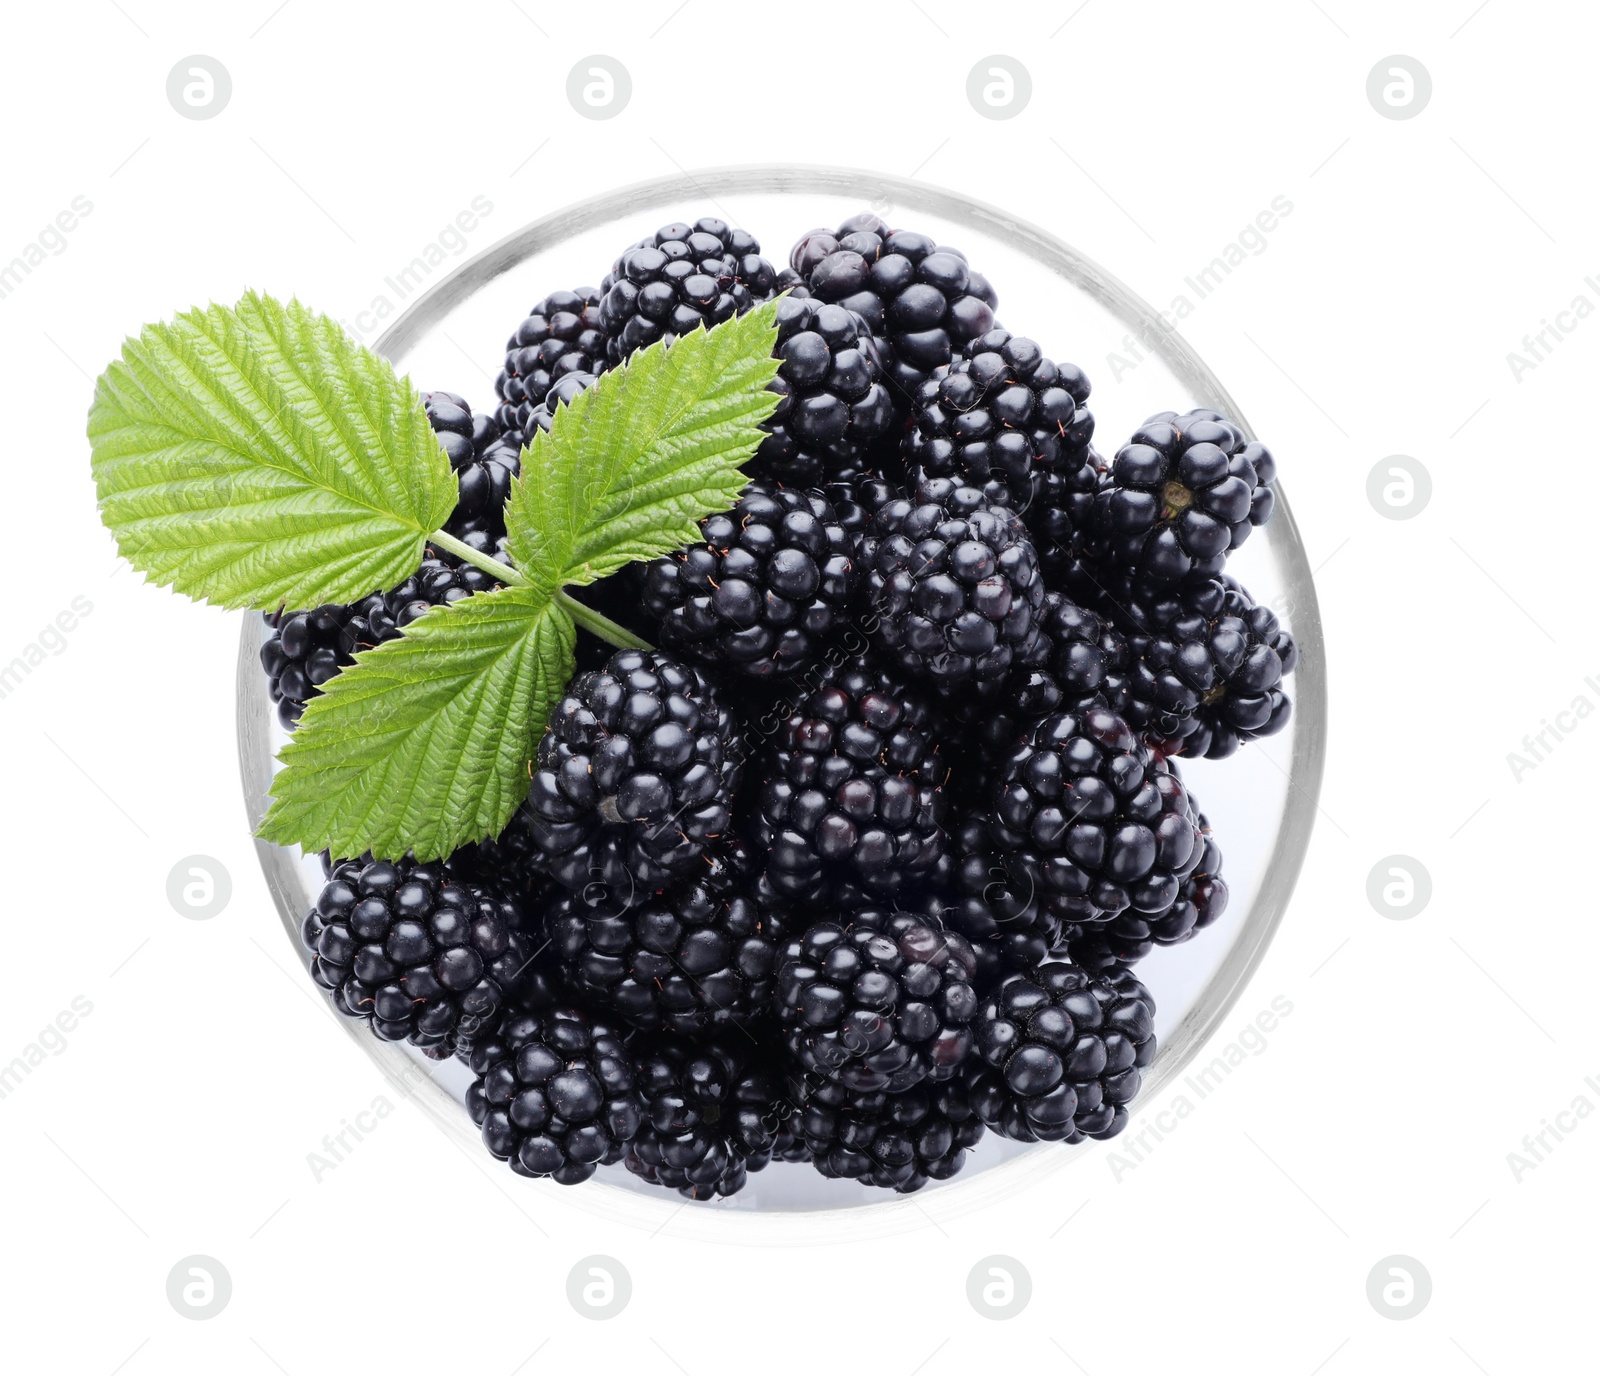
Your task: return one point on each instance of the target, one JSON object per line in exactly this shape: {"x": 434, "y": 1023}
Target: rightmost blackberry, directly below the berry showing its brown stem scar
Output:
{"x": 1202, "y": 668}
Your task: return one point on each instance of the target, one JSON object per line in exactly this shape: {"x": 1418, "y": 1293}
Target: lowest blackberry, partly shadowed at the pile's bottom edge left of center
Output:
{"x": 713, "y": 1114}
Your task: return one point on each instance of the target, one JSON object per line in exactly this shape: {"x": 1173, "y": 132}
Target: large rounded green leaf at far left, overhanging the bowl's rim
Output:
{"x": 258, "y": 457}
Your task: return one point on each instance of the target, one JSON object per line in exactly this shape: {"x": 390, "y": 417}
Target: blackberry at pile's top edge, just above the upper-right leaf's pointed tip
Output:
{"x": 679, "y": 279}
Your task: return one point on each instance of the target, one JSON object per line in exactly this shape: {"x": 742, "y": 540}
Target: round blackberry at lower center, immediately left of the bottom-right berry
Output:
{"x": 881, "y": 1001}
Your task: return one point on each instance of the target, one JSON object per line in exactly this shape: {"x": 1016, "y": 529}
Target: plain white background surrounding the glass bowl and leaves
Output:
{"x": 178, "y": 1118}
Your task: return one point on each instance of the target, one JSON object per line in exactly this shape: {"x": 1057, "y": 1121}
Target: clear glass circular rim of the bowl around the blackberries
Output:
{"x": 1310, "y": 727}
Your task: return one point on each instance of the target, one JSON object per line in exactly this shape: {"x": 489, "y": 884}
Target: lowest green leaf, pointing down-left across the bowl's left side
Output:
{"x": 423, "y": 745}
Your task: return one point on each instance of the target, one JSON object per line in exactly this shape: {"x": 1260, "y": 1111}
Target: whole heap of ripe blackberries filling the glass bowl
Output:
{"x": 857, "y": 865}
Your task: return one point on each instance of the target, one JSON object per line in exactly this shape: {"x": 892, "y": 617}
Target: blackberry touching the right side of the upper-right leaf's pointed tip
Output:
{"x": 833, "y": 404}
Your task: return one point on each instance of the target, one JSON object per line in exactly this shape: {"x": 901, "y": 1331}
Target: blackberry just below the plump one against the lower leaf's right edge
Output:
{"x": 695, "y": 958}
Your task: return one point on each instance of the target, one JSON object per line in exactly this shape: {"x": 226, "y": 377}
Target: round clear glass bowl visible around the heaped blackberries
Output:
{"x": 1262, "y": 802}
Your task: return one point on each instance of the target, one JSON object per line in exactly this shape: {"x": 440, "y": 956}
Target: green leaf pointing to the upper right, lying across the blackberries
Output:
{"x": 636, "y": 462}
